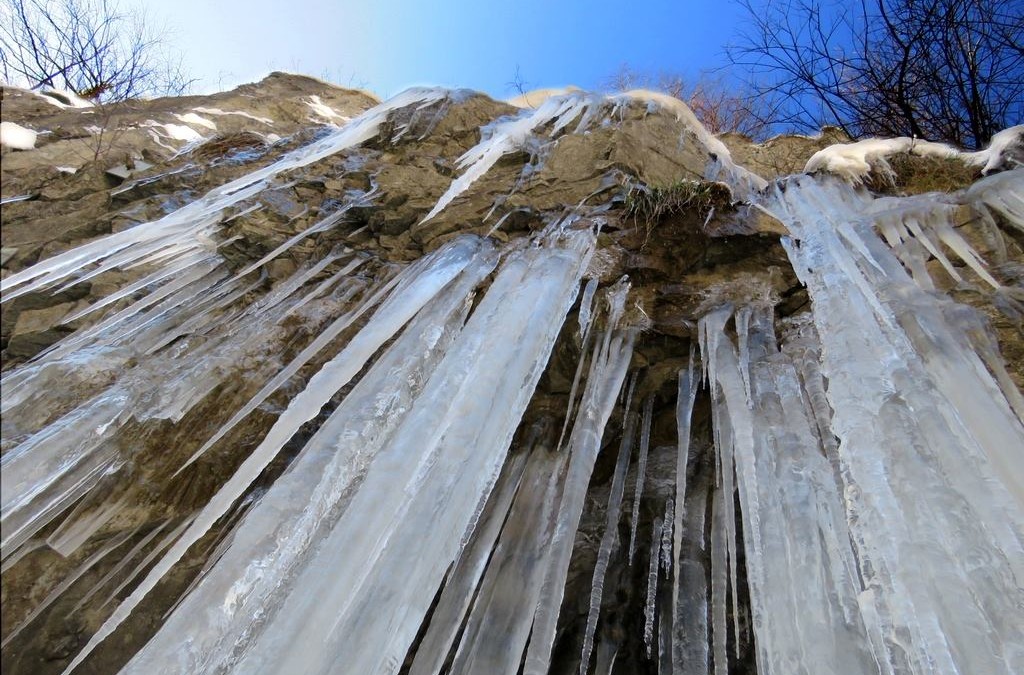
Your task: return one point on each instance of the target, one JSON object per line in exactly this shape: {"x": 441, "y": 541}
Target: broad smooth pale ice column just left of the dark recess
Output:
{"x": 439, "y": 461}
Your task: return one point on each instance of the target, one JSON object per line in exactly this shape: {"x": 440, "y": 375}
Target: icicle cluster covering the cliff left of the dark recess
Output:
{"x": 179, "y": 325}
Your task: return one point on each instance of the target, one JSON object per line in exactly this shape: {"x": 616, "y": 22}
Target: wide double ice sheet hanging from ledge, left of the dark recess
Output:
{"x": 431, "y": 462}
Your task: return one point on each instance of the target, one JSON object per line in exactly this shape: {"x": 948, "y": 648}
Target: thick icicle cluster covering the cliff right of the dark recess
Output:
{"x": 875, "y": 448}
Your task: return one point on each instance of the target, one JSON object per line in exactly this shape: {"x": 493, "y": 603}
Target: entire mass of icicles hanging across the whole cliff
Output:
{"x": 876, "y": 457}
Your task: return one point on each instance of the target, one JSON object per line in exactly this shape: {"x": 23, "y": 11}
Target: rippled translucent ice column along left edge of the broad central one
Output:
{"x": 280, "y": 531}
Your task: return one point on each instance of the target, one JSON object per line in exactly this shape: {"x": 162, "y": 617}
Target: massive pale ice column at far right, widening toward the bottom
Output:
{"x": 937, "y": 526}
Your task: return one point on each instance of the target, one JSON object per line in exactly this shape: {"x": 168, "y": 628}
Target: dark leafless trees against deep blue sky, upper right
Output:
{"x": 942, "y": 70}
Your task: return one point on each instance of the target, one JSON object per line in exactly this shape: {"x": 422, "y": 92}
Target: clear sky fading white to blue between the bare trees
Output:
{"x": 388, "y": 46}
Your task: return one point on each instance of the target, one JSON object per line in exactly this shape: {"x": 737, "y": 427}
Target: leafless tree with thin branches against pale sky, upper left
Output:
{"x": 92, "y": 48}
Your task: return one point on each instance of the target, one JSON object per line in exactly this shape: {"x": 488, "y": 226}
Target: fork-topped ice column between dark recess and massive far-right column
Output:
{"x": 799, "y": 563}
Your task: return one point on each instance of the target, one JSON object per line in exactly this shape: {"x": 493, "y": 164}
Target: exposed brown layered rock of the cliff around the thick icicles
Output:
{"x": 96, "y": 174}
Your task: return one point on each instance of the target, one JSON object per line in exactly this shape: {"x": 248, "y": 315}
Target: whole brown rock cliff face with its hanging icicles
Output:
{"x": 301, "y": 382}
